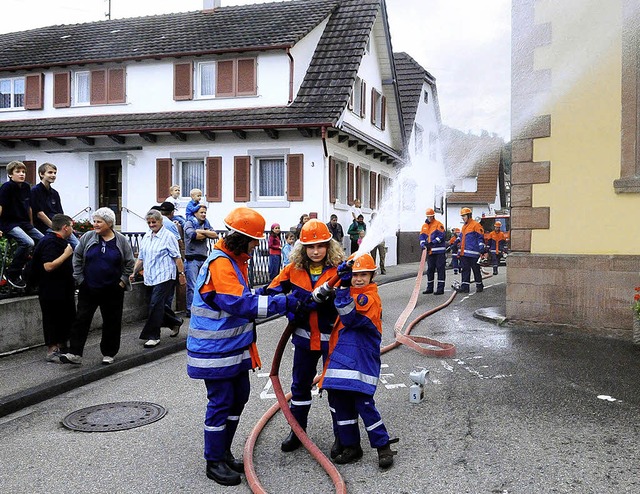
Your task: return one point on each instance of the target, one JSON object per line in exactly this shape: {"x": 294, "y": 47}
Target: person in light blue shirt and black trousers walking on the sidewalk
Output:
{"x": 160, "y": 257}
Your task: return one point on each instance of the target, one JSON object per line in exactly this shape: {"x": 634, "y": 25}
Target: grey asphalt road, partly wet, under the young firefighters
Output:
{"x": 517, "y": 410}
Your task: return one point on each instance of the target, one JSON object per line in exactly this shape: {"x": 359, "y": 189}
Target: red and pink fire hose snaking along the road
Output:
{"x": 435, "y": 349}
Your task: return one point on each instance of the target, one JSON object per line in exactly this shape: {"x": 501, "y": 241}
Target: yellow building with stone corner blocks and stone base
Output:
{"x": 575, "y": 183}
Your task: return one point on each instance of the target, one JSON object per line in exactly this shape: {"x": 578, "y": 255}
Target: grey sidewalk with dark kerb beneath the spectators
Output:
{"x": 28, "y": 379}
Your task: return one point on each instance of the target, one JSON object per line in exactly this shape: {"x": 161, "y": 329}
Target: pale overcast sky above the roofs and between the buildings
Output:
{"x": 464, "y": 44}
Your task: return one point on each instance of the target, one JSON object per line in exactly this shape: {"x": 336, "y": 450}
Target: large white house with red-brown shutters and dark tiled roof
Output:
{"x": 288, "y": 107}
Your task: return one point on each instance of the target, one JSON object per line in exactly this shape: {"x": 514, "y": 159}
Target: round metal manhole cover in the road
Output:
{"x": 114, "y": 416}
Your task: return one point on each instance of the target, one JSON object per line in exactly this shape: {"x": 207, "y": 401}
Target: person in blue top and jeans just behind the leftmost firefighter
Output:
{"x": 197, "y": 233}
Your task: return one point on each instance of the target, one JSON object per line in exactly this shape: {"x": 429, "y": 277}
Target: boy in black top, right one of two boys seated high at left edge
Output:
{"x": 45, "y": 201}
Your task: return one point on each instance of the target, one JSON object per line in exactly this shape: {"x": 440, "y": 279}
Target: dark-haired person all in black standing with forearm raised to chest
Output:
{"x": 53, "y": 269}
